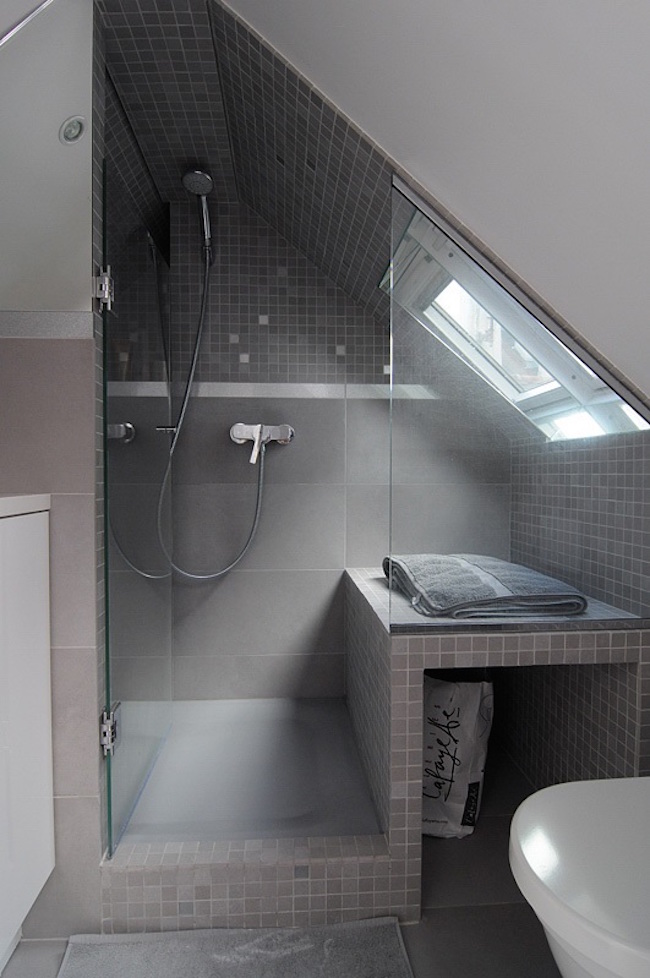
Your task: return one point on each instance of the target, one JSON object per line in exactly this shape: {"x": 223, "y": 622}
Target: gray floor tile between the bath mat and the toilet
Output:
{"x": 504, "y": 941}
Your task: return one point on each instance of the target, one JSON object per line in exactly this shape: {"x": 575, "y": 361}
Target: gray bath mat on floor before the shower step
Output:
{"x": 364, "y": 949}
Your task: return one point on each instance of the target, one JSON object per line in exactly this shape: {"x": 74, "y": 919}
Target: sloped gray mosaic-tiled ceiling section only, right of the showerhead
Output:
{"x": 302, "y": 166}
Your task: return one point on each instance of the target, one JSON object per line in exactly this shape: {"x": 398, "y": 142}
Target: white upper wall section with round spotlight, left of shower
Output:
{"x": 45, "y": 187}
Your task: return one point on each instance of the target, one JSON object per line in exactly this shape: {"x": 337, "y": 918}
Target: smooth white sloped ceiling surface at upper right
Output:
{"x": 529, "y": 121}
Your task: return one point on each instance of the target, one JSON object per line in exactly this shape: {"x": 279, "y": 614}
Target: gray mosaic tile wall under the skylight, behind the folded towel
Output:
{"x": 580, "y": 512}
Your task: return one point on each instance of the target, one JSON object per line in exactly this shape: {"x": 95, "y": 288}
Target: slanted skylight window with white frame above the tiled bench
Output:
{"x": 498, "y": 337}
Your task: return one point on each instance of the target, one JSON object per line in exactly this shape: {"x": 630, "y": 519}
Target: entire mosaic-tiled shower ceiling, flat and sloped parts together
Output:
{"x": 200, "y": 90}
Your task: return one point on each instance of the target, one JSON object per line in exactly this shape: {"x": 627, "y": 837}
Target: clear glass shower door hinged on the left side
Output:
{"x": 138, "y": 518}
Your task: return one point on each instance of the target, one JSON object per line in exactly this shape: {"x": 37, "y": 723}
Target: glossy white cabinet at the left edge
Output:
{"x": 26, "y": 796}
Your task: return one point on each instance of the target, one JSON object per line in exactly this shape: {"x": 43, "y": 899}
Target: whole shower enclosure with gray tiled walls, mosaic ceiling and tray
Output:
{"x": 286, "y": 345}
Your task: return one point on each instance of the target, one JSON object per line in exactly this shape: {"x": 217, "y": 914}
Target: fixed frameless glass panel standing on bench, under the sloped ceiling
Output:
{"x": 504, "y": 444}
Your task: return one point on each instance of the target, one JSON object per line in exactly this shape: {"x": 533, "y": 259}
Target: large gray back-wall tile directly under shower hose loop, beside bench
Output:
{"x": 262, "y": 613}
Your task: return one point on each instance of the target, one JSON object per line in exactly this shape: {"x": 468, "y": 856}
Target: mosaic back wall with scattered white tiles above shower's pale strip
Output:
{"x": 272, "y": 315}
